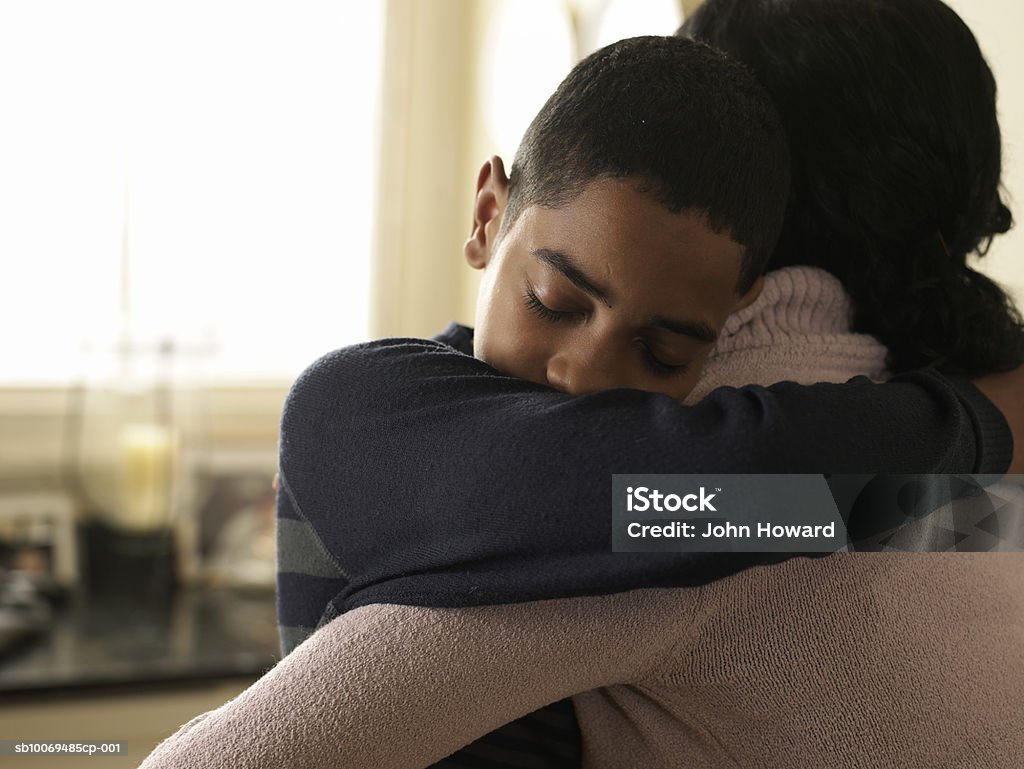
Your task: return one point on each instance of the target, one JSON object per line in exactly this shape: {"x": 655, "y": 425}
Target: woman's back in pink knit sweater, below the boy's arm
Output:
{"x": 859, "y": 660}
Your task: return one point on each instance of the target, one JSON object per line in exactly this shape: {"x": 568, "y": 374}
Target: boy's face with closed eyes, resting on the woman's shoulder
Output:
{"x": 609, "y": 291}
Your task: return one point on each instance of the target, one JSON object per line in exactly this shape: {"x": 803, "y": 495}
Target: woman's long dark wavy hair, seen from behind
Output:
{"x": 890, "y": 111}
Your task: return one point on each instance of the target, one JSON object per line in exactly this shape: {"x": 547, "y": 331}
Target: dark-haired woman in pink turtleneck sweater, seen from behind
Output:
{"x": 835, "y": 662}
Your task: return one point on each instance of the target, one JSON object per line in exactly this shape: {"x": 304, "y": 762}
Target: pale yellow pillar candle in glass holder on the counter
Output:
{"x": 148, "y": 454}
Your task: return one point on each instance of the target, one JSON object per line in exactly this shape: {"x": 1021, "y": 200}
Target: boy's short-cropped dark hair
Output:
{"x": 693, "y": 127}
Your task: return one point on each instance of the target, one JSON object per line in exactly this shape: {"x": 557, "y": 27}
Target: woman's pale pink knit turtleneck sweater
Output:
{"x": 878, "y": 661}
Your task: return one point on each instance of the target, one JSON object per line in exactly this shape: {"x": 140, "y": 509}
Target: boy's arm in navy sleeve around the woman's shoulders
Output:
{"x": 432, "y": 480}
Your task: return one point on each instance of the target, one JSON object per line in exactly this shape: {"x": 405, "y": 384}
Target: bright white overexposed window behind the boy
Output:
{"x": 199, "y": 174}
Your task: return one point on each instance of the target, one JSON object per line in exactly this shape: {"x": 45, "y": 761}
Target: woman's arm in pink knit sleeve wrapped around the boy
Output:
{"x": 400, "y": 687}
